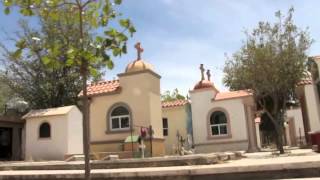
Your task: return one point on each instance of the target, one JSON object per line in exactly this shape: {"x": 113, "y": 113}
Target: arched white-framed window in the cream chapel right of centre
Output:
{"x": 218, "y": 123}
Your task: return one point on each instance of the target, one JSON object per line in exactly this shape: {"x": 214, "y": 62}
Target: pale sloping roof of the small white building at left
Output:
{"x": 48, "y": 112}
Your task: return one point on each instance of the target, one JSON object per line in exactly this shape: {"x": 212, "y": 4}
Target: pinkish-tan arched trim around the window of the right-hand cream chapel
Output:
{"x": 209, "y": 134}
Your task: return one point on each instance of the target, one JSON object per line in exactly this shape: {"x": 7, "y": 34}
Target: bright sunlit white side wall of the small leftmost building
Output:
{"x": 75, "y": 132}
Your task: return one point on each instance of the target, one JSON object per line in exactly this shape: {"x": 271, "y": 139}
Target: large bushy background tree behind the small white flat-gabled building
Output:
{"x": 30, "y": 76}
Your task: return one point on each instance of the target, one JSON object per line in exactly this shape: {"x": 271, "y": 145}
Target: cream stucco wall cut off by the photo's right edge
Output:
{"x": 312, "y": 101}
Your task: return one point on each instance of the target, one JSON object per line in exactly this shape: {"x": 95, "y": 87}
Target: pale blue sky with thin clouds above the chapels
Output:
{"x": 179, "y": 35}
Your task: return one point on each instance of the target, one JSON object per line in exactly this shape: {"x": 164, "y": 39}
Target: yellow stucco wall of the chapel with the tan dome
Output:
{"x": 141, "y": 93}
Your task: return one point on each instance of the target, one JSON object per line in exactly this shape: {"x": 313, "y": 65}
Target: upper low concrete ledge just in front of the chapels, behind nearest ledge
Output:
{"x": 204, "y": 159}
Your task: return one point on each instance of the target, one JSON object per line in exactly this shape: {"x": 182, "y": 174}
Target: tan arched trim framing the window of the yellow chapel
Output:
{"x": 108, "y": 119}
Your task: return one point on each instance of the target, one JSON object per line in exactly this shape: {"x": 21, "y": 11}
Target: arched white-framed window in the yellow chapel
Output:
{"x": 120, "y": 118}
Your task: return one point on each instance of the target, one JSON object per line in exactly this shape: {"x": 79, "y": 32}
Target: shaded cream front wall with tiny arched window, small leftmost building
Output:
{"x": 53, "y": 148}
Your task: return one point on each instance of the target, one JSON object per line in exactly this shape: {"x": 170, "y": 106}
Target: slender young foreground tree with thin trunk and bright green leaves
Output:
{"x": 112, "y": 42}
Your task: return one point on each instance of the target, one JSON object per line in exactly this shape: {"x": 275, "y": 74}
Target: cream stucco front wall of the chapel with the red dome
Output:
{"x": 202, "y": 106}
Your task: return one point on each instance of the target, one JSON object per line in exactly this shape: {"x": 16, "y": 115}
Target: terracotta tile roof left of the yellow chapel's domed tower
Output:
{"x": 102, "y": 87}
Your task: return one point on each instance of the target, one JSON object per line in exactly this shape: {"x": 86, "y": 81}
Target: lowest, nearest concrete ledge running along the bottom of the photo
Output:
{"x": 257, "y": 172}
